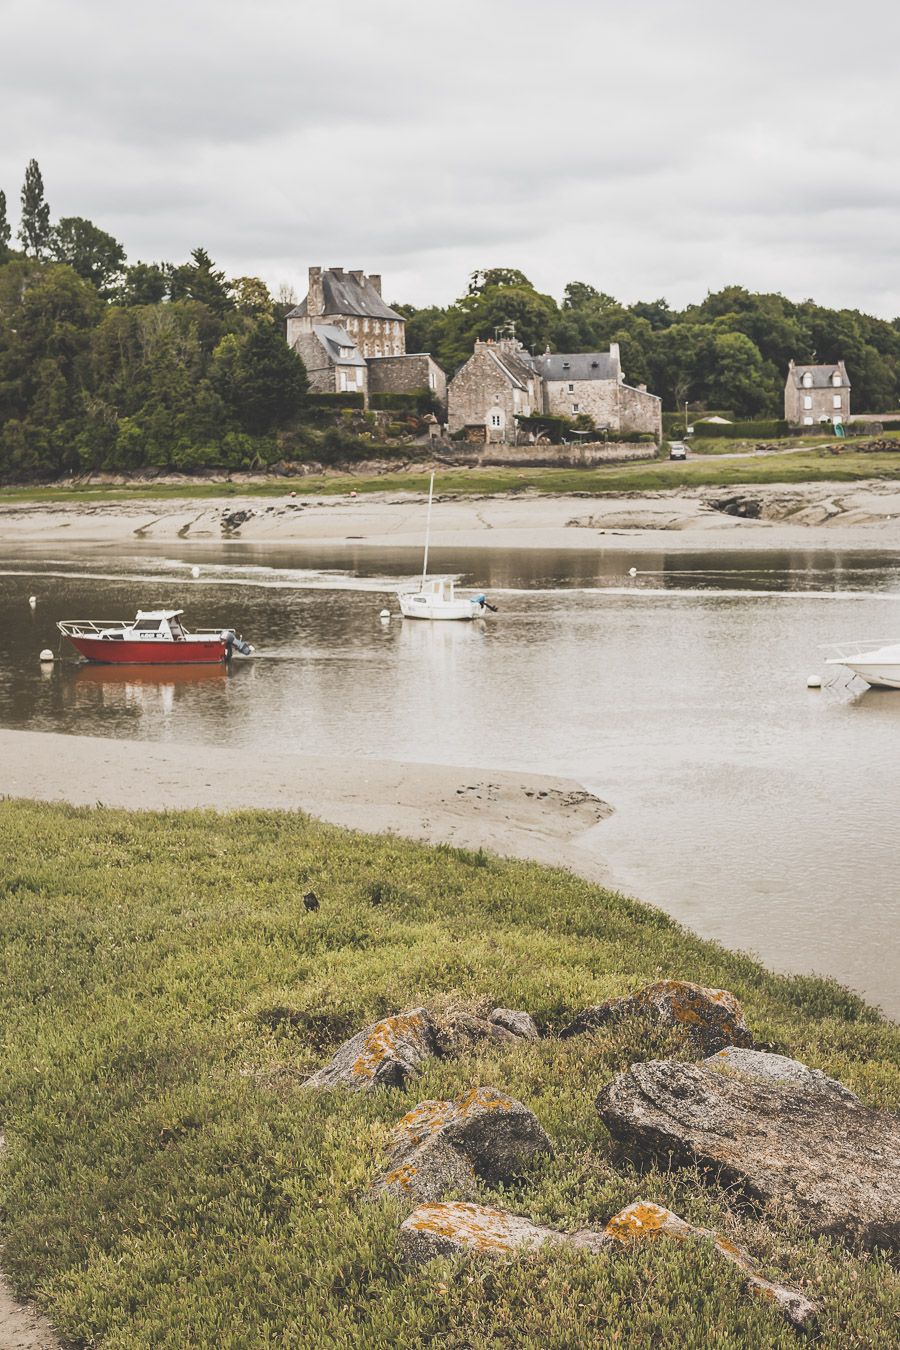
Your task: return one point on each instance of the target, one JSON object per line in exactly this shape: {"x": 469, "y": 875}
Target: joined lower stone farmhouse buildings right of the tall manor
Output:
{"x": 503, "y": 381}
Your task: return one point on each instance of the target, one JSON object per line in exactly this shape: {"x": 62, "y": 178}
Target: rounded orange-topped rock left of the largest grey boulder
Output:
{"x": 442, "y": 1147}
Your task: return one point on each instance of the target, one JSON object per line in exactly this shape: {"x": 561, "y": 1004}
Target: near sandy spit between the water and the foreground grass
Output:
{"x": 516, "y": 815}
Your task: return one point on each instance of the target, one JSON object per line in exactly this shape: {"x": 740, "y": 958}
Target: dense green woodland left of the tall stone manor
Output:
{"x": 119, "y": 368}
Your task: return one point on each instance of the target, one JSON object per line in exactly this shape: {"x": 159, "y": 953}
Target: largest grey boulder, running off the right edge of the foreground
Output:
{"x": 831, "y": 1162}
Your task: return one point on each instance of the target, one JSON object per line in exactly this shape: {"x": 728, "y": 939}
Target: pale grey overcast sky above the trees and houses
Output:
{"x": 646, "y": 146}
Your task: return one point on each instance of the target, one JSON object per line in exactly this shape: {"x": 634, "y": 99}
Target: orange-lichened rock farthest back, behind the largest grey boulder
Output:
{"x": 709, "y": 1019}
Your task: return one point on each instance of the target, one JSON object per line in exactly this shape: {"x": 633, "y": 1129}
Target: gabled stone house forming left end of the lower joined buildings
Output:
{"x": 497, "y": 385}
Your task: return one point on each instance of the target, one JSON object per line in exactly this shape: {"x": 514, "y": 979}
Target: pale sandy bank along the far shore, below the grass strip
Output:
{"x": 770, "y": 516}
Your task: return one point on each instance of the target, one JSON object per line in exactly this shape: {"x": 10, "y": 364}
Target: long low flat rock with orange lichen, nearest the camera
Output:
{"x": 443, "y": 1231}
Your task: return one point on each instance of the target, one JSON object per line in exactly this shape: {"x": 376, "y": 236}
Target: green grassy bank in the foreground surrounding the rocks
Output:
{"x": 167, "y": 1183}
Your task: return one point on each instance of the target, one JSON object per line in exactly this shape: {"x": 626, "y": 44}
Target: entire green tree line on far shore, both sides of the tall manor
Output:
{"x": 121, "y": 367}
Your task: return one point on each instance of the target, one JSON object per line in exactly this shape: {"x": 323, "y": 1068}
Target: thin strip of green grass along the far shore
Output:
{"x": 813, "y": 466}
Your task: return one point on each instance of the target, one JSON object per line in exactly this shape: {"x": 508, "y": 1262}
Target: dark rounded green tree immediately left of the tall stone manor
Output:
{"x": 260, "y": 377}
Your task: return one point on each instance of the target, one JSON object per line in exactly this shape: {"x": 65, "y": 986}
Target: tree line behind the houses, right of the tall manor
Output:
{"x": 729, "y": 353}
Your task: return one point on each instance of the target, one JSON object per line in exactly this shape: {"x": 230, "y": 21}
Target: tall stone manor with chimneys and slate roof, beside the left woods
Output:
{"x": 353, "y": 342}
